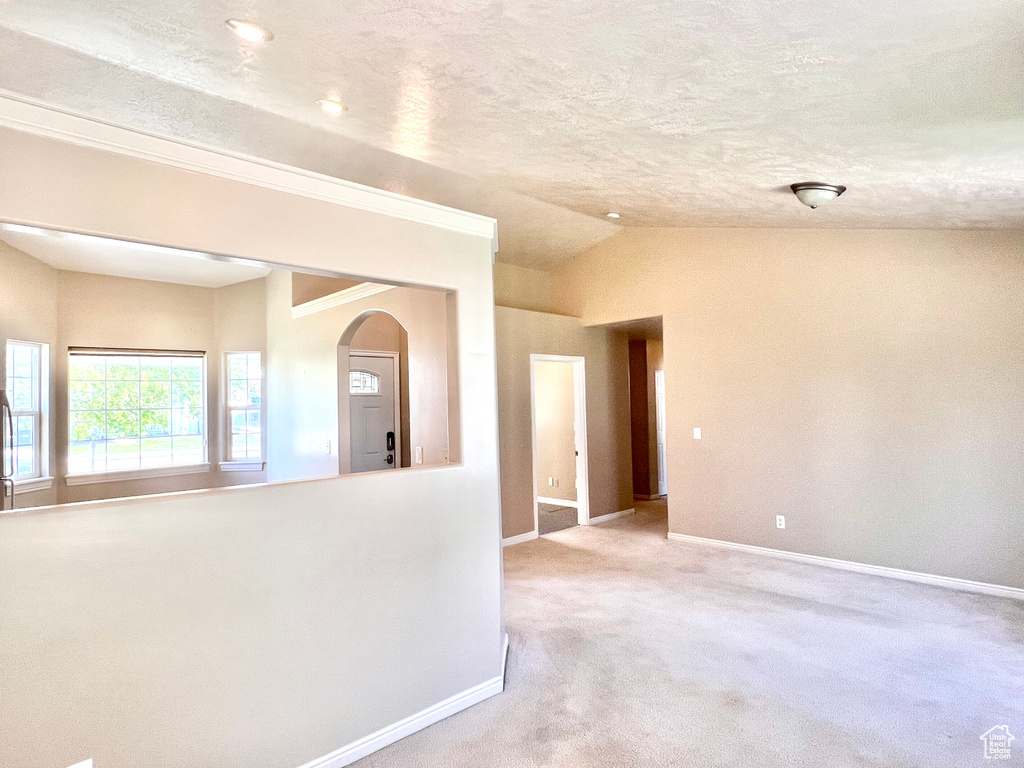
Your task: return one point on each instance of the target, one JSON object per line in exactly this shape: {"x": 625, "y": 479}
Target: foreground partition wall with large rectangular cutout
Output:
{"x": 260, "y": 625}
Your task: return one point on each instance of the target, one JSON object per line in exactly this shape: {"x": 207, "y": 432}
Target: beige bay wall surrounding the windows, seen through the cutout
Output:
{"x": 65, "y": 310}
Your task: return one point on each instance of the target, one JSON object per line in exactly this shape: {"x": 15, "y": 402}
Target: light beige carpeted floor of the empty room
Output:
{"x": 631, "y": 651}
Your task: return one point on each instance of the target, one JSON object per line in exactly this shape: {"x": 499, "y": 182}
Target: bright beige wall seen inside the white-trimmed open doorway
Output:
{"x": 554, "y": 415}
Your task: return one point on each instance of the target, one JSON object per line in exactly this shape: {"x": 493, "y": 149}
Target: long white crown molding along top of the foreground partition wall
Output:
{"x": 38, "y": 118}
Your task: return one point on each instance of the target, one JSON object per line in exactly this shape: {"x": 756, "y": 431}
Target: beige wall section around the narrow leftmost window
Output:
{"x": 29, "y": 313}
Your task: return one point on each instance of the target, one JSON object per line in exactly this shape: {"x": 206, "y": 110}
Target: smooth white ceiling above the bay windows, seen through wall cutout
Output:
{"x": 102, "y": 257}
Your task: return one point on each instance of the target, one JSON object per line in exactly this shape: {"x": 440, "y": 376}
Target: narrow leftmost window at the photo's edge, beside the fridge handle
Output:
{"x": 27, "y": 388}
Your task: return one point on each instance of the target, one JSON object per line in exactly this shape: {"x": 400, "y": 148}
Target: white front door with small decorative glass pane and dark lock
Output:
{"x": 374, "y": 431}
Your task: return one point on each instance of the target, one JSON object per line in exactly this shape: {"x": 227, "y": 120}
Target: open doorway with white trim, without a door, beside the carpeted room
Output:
{"x": 559, "y": 396}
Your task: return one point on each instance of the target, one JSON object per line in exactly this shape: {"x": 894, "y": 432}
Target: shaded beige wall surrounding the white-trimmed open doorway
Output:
{"x": 522, "y": 333}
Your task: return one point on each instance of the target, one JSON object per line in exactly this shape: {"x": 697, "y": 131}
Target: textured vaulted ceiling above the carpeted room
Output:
{"x": 673, "y": 112}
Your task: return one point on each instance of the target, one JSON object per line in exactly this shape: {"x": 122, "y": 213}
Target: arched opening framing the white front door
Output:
{"x": 373, "y": 395}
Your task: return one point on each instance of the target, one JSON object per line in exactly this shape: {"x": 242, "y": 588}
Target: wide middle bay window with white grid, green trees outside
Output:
{"x": 134, "y": 411}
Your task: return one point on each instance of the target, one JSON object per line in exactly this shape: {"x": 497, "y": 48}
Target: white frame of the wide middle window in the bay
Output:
{"x": 133, "y": 474}
